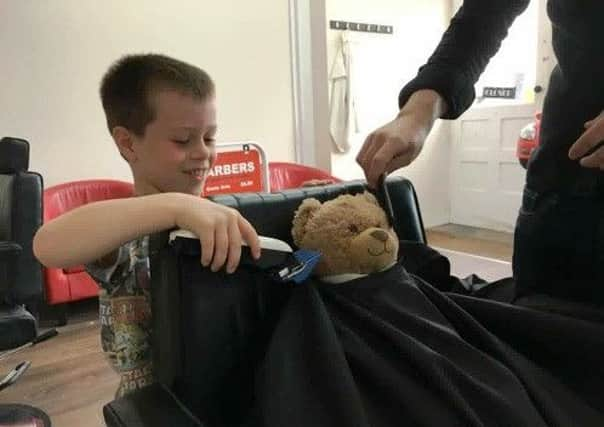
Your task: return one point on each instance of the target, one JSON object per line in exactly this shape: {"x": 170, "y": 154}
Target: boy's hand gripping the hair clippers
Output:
{"x": 221, "y": 231}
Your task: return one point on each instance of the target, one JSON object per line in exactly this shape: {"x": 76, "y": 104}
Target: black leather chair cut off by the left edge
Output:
{"x": 21, "y": 281}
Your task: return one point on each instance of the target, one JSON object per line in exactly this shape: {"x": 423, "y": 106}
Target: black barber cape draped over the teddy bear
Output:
{"x": 387, "y": 349}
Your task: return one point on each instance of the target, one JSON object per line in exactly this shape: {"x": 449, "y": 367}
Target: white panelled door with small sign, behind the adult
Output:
{"x": 486, "y": 178}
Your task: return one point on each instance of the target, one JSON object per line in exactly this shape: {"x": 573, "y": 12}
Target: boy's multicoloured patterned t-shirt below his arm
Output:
{"x": 125, "y": 314}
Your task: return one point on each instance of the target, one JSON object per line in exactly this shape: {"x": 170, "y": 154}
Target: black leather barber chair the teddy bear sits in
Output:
{"x": 271, "y": 215}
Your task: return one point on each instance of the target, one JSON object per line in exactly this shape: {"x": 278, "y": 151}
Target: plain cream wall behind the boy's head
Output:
{"x": 54, "y": 53}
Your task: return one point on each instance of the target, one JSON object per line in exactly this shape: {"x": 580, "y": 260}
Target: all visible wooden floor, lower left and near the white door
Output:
{"x": 70, "y": 379}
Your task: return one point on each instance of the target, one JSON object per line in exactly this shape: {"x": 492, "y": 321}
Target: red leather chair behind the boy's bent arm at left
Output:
{"x": 73, "y": 283}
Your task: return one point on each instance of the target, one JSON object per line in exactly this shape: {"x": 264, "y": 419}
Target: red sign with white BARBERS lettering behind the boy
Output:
{"x": 235, "y": 172}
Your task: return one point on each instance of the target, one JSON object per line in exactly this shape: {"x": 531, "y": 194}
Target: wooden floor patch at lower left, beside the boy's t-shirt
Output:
{"x": 69, "y": 377}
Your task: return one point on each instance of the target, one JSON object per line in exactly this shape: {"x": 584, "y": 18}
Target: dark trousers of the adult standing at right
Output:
{"x": 559, "y": 247}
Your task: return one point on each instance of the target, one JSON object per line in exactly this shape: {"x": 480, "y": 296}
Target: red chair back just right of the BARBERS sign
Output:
{"x": 283, "y": 175}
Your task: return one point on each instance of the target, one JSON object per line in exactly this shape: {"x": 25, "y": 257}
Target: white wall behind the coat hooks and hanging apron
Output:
{"x": 384, "y": 63}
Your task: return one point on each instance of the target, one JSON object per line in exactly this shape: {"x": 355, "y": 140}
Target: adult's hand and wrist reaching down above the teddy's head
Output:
{"x": 399, "y": 142}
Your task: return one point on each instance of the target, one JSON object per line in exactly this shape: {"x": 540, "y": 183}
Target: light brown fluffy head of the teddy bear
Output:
{"x": 351, "y": 232}
